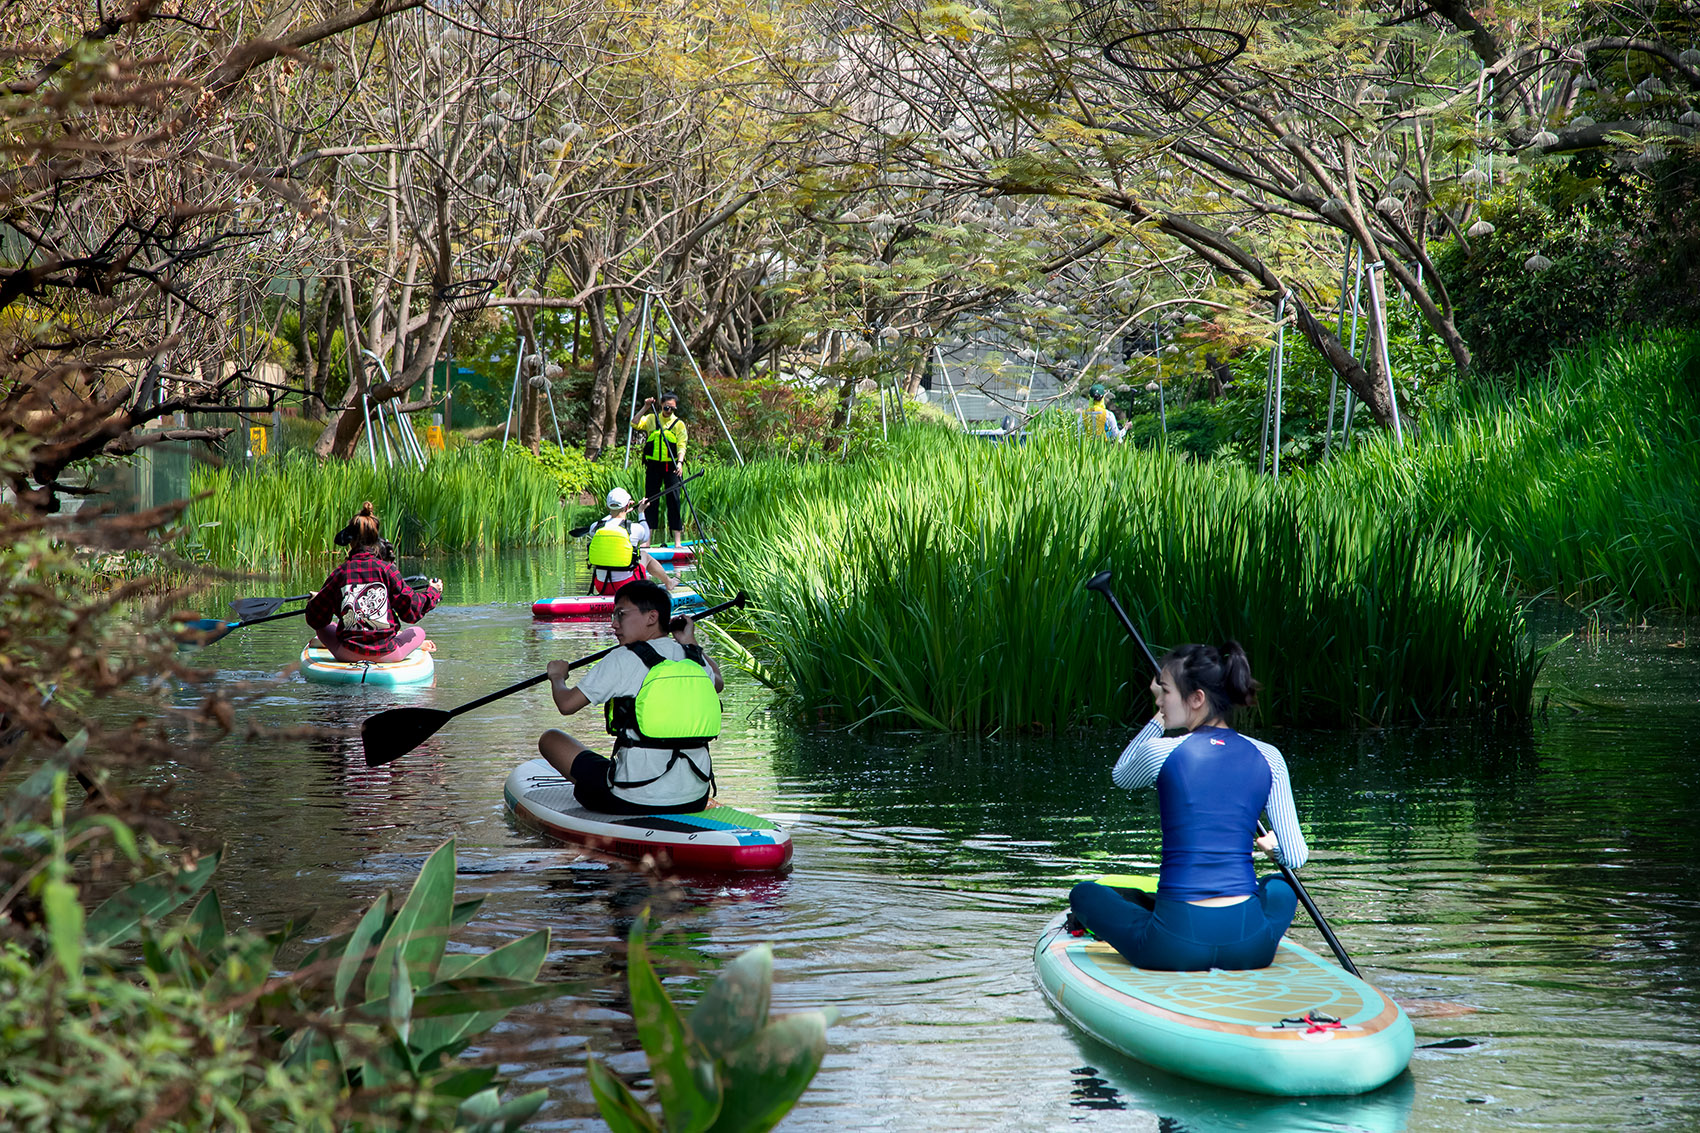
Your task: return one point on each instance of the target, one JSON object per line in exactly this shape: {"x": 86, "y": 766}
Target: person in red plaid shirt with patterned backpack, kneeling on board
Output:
{"x": 360, "y": 610}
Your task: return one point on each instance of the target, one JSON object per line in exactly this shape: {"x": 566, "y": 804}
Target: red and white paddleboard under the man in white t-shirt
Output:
{"x": 718, "y": 840}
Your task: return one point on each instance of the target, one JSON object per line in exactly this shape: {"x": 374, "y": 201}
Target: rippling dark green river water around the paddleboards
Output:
{"x": 1533, "y": 896}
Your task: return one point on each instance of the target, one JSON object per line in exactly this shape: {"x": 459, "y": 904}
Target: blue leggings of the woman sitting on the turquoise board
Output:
{"x": 1181, "y": 937}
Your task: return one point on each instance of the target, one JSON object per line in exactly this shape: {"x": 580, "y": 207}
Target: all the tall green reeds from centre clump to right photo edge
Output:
{"x": 941, "y": 584}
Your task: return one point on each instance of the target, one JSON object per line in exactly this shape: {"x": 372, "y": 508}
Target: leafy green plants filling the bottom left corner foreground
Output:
{"x": 147, "y": 1018}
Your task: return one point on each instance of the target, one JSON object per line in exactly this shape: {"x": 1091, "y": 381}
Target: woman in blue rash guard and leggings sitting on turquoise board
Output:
{"x": 1213, "y": 785}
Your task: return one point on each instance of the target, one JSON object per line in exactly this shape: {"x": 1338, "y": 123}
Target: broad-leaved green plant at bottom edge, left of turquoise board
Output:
{"x": 725, "y": 1068}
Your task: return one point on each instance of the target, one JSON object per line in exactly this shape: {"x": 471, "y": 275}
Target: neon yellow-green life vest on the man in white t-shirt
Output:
{"x": 676, "y": 707}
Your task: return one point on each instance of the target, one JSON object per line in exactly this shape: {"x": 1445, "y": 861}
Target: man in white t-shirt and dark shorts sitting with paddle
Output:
{"x": 642, "y": 778}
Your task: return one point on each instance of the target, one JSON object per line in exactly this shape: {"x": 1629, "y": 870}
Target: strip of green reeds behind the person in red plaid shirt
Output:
{"x": 290, "y": 510}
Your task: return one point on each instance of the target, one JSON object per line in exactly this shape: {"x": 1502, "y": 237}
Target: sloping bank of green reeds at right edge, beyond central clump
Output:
{"x": 1580, "y": 479}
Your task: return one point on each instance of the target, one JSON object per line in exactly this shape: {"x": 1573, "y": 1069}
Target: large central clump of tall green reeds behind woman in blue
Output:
{"x": 943, "y": 588}
